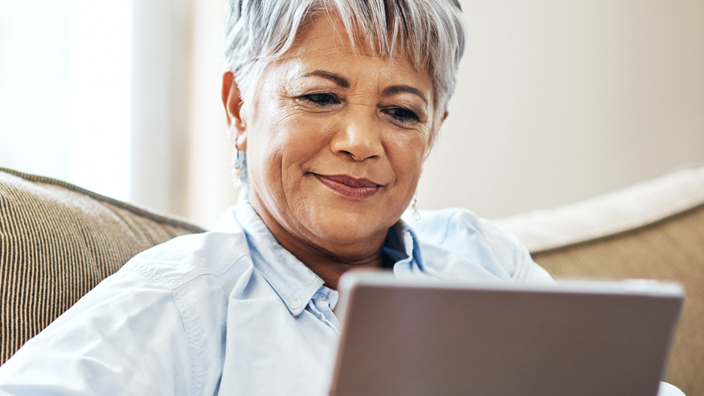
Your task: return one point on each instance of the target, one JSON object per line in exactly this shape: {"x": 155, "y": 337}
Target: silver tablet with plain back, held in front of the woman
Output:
{"x": 426, "y": 337}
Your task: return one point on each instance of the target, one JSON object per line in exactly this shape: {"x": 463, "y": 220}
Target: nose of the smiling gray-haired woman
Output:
{"x": 359, "y": 138}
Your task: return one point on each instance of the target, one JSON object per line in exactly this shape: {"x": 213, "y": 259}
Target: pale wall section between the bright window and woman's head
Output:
{"x": 180, "y": 150}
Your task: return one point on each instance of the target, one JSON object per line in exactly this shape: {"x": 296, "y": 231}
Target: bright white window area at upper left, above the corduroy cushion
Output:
{"x": 65, "y": 89}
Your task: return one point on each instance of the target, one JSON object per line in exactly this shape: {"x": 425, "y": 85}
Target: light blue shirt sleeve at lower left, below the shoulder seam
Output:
{"x": 125, "y": 337}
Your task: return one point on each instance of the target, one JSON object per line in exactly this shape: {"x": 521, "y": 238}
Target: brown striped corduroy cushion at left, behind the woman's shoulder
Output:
{"x": 57, "y": 242}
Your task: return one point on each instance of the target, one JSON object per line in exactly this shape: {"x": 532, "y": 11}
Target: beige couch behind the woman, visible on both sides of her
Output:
{"x": 57, "y": 241}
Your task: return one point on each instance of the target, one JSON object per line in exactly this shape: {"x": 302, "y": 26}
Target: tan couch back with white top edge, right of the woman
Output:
{"x": 652, "y": 230}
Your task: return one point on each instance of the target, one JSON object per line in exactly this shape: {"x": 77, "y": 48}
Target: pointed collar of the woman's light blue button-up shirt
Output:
{"x": 292, "y": 280}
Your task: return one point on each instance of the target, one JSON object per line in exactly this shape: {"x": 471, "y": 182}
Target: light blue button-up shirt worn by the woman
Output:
{"x": 231, "y": 312}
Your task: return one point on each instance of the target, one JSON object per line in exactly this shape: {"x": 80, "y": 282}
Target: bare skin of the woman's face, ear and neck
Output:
{"x": 322, "y": 110}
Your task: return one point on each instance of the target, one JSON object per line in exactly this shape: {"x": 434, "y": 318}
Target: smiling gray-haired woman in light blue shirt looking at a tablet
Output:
{"x": 334, "y": 105}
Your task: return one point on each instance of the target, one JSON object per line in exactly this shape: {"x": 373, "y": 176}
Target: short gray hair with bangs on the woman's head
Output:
{"x": 429, "y": 33}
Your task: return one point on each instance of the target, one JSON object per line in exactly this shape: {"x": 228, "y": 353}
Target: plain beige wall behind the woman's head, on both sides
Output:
{"x": 557, "y": 101}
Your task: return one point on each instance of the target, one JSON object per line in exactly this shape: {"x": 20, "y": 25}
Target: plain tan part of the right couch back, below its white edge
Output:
{"x": 671, "y": 249}
